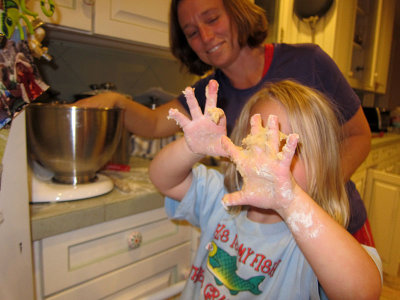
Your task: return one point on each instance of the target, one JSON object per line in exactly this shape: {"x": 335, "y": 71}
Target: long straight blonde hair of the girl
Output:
{"x": 312, "y": 117}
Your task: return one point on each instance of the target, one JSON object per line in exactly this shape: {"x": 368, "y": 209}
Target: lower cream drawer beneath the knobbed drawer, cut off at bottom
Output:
{"x": 136, "y": 280}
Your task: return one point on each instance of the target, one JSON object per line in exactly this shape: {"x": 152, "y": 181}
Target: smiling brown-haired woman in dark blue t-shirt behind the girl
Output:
{"x": 226, "y": 37}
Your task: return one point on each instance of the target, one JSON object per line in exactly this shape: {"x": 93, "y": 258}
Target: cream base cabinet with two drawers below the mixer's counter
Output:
{"x": 99, "y": 261}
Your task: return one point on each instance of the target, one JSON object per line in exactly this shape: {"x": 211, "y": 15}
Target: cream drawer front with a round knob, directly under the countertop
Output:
{"x": 74, "y": 257}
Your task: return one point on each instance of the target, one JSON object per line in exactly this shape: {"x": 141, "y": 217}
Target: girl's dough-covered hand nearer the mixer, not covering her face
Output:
{"x": 203, "y": 133}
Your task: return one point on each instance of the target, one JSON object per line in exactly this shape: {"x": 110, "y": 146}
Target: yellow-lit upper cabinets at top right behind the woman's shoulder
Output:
{"x": 357, "y": 34}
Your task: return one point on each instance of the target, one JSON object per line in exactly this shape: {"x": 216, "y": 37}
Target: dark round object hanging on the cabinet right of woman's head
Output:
{"x": 310, "y": 11}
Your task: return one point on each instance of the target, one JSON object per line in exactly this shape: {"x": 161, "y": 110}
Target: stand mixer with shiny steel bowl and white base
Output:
{"x": 67, "y": 145}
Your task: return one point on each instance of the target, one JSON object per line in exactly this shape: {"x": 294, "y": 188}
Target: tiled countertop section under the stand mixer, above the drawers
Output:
{"x": 49, "y": 219}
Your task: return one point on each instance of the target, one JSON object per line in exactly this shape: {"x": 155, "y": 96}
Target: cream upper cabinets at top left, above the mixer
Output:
{"x": 143, "y": 22}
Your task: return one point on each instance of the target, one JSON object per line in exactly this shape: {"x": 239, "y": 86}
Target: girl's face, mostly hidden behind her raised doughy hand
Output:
{"x": 268, "y": 107}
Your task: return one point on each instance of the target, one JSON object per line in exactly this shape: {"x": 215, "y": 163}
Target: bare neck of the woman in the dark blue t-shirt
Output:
{"x": 247, "y": 69}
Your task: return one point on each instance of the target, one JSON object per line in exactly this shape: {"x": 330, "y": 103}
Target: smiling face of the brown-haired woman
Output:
{"x": 209, "y": 32}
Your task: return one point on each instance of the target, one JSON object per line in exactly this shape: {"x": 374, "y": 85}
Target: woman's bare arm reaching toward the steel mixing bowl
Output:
{"x": 139, "y": 119}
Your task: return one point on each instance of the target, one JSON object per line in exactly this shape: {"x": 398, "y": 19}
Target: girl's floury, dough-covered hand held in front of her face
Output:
{"x": 267, "y": 179}
